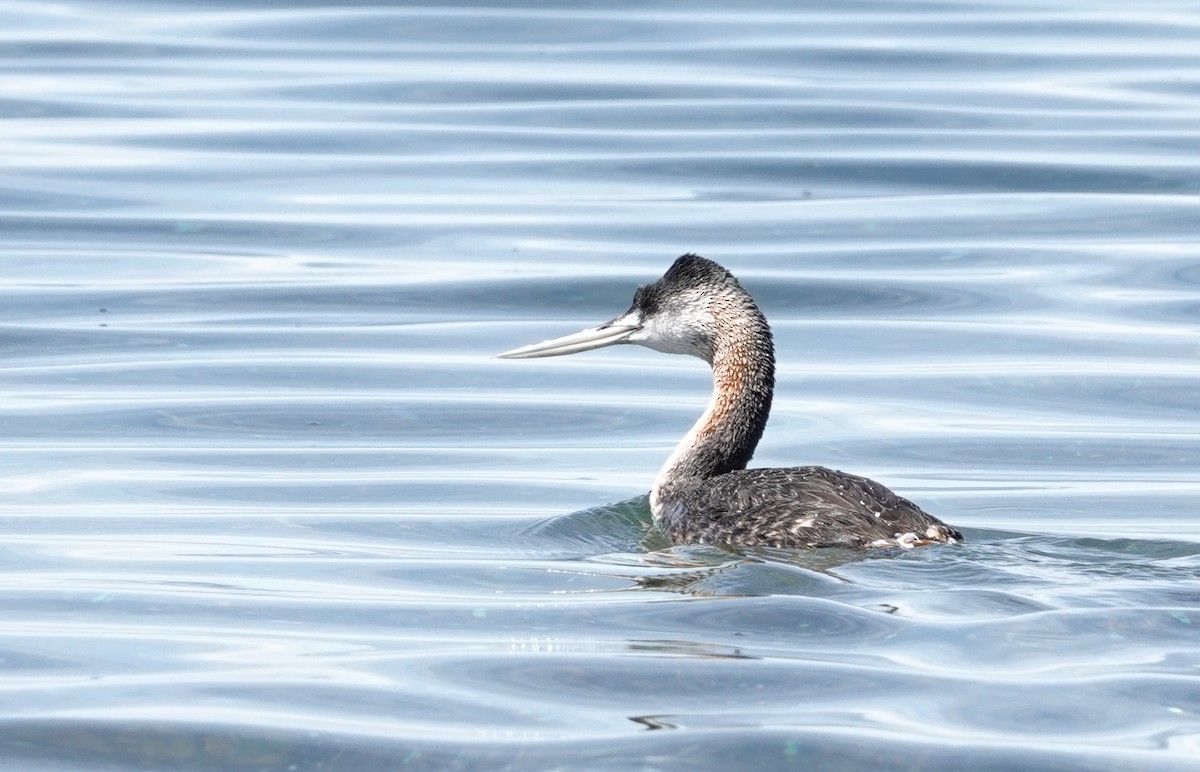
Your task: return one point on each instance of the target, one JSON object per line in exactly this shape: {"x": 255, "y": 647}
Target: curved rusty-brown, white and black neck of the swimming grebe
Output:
{"x": 729, "y": 432}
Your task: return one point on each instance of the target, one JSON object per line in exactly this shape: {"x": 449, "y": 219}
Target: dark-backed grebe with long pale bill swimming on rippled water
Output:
{"x": 705, "y": 494}
